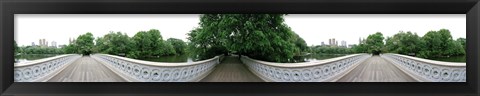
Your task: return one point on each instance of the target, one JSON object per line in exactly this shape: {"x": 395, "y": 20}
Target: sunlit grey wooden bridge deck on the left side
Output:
{"x": 86, "y": 69}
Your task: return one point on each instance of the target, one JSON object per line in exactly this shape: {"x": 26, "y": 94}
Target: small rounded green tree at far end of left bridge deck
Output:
{"x": 84, "y": 43}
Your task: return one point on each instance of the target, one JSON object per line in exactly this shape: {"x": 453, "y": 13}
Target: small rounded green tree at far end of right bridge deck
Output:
{"x": 374, "y": 43}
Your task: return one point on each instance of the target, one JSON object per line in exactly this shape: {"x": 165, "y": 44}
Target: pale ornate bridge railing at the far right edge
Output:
{"x": 425, "y": 70}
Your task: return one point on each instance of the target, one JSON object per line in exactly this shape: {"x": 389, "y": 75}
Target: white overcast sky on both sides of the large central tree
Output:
{"x": 314, "y": 28}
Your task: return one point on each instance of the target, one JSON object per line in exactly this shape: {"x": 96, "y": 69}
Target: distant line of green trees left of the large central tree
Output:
{"x": 143, "y": 44}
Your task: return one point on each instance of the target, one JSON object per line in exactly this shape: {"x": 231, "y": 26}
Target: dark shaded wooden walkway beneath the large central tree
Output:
{"x": 231, "y": 70}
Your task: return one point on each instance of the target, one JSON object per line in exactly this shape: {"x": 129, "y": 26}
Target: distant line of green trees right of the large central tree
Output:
{"x": 433, "y": 44}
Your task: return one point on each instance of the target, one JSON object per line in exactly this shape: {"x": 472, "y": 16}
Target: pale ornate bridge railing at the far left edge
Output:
{"x": 42, "y": 70}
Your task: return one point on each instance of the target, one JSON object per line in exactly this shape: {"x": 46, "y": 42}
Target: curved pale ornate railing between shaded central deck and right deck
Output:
{"x": 329, "y": 70}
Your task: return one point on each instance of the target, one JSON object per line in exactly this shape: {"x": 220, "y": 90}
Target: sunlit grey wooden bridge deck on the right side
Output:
{"x": 376, "y": 69}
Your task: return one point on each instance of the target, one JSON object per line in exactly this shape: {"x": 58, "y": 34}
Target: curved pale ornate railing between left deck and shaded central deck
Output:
{"x": 145, "y": 71}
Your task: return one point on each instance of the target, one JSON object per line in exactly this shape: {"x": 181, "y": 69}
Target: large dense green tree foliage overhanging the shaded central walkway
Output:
{"x": 260, "y": 36}
